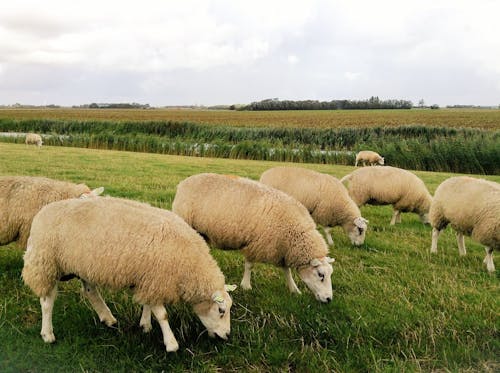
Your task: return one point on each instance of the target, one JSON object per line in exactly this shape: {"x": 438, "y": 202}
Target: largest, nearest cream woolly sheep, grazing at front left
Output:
{"x": 115, "y": 243}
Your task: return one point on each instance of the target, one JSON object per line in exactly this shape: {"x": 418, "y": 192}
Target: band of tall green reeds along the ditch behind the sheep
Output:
{"x": 412, "y": 147}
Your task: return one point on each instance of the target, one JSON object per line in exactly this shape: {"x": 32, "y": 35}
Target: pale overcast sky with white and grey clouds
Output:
{"x": 186, "y": 52}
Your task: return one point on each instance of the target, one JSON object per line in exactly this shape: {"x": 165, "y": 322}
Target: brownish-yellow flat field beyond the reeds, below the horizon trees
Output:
{"x": 476, "y": 118}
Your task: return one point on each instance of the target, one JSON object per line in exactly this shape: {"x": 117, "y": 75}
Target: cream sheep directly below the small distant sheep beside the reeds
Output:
{"x": 387, "y": 185}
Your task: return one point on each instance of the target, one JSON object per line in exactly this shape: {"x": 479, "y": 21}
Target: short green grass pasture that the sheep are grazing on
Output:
{"x": 395, "y": 306}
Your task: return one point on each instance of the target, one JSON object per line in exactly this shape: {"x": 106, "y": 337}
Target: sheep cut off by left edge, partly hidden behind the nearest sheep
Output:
{"x": 21, "y": 197}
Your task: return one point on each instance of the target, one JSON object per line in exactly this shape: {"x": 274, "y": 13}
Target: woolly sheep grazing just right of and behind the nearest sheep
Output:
{"x": 267, "y": 225}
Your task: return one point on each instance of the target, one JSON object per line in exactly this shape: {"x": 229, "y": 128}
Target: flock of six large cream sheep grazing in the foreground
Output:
{"x": 164, "y": 257}
